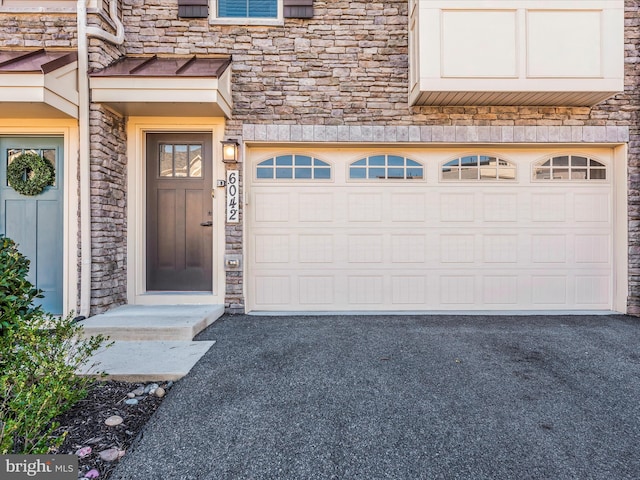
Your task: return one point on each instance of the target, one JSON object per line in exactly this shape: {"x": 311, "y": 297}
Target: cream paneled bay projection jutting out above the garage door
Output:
{"x": 515, "y": 52}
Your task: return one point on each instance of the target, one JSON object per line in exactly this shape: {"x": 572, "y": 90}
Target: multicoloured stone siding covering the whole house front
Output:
{"x": 346, "y": 68}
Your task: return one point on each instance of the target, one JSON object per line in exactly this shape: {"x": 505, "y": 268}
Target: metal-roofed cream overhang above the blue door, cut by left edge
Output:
{"x": 39, "y": 84}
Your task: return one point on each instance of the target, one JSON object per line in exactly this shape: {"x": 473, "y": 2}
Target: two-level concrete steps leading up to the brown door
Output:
{"x": 150, "y": 343}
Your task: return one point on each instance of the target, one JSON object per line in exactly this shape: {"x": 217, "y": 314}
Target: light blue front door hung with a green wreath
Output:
{"x": 35, "y": 222}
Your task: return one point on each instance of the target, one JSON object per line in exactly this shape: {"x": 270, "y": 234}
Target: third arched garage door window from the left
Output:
{"x": 478, "y": 167}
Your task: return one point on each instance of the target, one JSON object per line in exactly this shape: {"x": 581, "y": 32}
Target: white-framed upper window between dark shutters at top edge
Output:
{"x": 247, "y": 12}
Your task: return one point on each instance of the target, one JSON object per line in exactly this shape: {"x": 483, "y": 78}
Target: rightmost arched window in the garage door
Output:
{"x": 570, "y": 167}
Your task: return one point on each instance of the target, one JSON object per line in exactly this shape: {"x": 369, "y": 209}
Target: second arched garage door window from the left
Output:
{"x": 388, "y": 167}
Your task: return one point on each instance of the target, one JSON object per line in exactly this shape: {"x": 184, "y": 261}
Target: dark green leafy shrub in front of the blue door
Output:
{"x": 16, "y": 292}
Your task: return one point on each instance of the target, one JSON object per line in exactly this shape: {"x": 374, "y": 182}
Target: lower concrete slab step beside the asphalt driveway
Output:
{"x": 146, "y": 361}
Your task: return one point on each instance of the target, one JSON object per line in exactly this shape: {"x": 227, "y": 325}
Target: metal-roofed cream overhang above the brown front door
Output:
{"x": 165, "y": 86}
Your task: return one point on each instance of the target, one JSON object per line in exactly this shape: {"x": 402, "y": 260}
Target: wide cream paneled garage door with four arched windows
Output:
{"x": 424, "y": 230}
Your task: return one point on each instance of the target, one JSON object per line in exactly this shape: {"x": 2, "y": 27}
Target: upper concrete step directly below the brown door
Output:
{"x": 153, "y": 323}
